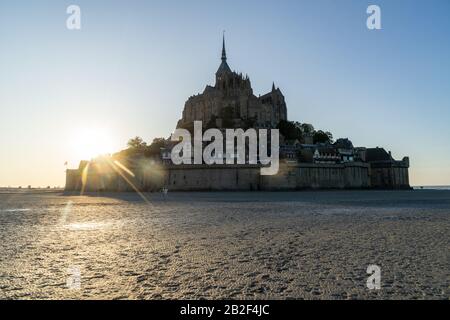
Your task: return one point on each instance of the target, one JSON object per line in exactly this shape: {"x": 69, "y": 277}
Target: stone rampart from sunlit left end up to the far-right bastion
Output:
{"x": 221, "y": 178}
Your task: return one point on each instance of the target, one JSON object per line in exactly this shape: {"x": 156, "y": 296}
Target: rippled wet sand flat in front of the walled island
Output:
{"x": 281, "y": 245}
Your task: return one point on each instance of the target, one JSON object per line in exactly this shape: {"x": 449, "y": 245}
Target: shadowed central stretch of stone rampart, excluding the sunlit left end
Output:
{"x": 289, "y": 177}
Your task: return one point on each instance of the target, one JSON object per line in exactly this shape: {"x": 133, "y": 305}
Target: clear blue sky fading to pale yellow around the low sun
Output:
{"x": 133, "y": 64}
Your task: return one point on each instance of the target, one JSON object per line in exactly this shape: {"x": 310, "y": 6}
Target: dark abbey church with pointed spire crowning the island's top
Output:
{"x": 232, "y": 103}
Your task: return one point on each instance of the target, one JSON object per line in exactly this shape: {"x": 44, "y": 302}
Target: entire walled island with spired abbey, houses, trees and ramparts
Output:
{"x": 305, "y": 162}
